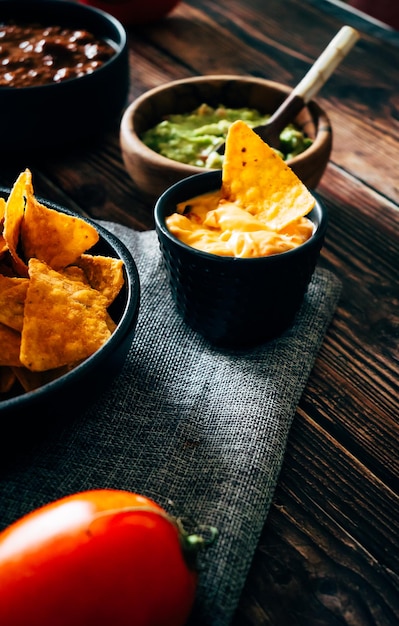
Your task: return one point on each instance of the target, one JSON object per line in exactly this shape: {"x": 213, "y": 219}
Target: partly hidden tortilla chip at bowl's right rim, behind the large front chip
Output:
{"x": 103, "y": 273}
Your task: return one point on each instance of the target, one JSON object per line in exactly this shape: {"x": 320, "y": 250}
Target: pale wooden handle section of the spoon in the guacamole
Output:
{"x": 327, "y": 62}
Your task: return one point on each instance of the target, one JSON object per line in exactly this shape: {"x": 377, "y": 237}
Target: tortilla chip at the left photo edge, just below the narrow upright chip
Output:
{"x": 12, "y": 301}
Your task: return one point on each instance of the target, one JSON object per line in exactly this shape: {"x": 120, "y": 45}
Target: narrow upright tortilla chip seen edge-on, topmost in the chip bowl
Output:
{"x": 13, "y": 216}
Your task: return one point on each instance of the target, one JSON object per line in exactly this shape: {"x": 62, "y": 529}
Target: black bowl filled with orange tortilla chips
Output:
{"x": 69, "y": 301}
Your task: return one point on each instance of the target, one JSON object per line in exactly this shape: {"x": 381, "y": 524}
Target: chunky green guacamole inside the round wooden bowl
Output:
{"x": 191, "y": 138}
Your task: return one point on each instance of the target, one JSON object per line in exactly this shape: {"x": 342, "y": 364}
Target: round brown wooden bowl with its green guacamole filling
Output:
{"x": 170, "y": 132}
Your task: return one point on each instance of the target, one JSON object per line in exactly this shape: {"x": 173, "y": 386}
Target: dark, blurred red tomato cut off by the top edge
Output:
{"x": 132, "y": 12}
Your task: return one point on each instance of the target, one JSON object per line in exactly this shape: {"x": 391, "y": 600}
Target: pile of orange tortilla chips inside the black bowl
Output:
{"x": 54, "y": 296}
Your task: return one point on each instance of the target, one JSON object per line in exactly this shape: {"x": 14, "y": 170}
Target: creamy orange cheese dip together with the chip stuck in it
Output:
{"x": 260, "y": 210}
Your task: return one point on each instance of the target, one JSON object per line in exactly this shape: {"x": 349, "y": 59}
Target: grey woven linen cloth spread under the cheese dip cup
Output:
{"x": 200, "y": 430}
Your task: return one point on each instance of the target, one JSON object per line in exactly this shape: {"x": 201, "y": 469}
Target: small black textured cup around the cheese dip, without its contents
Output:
{"x": 234, "y": 302}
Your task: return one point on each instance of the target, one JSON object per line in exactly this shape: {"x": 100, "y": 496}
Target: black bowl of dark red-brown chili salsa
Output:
{"x": 64, "y": 74}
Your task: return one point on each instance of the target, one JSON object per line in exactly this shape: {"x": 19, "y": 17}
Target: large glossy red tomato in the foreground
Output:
{"x": 101, "y": 557}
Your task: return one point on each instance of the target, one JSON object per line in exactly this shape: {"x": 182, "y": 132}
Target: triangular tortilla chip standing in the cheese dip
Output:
{"x": 259, "y": 181}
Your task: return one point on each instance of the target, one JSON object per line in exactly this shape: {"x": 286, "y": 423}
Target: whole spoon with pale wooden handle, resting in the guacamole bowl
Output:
{"x": 315, "y": 78}
